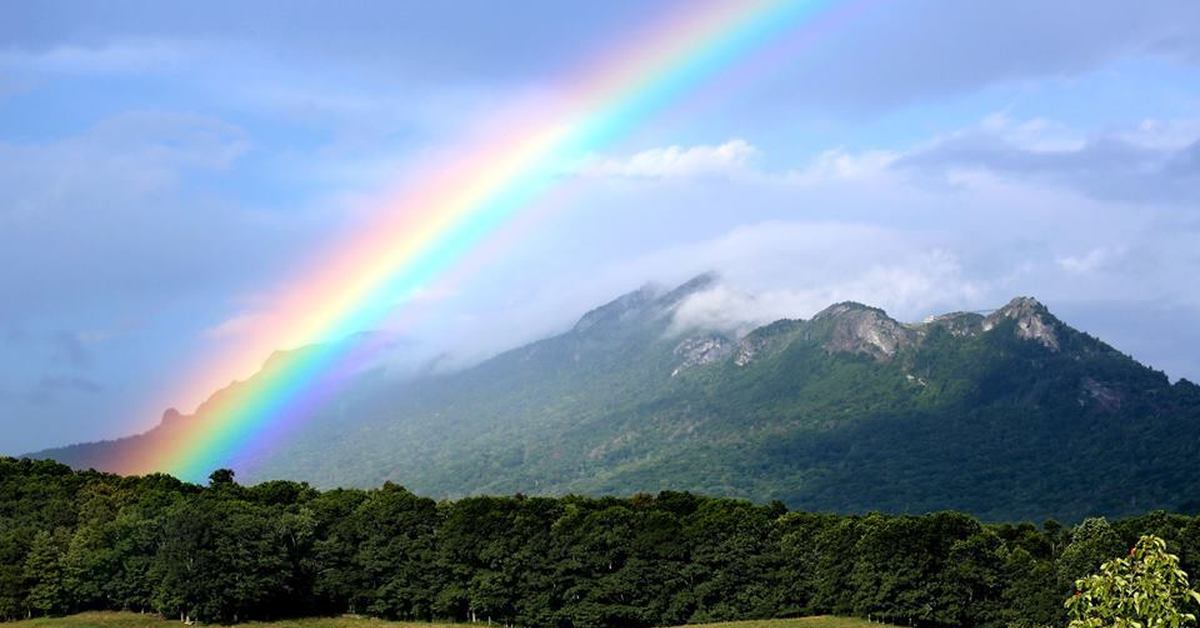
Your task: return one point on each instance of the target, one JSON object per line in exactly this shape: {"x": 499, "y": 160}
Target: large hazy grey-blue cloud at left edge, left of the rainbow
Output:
{"x": 115, "y": 213}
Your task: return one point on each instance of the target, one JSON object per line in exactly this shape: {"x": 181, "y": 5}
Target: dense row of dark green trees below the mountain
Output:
{"x": 225, "y": 553}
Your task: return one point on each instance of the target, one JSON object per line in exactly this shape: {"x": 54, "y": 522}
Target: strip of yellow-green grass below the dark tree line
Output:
{"x": 133, "y": 620}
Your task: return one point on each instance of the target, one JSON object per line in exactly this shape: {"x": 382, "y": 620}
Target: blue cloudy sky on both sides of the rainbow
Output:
{"x": 167, "y": 166}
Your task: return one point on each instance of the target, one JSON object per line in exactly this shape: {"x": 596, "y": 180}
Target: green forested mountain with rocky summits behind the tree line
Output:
{"x": 1010, "y": 416}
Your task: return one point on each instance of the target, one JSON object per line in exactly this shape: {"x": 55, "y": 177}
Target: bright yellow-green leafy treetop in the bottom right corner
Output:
{"x": 1144, "y": 590}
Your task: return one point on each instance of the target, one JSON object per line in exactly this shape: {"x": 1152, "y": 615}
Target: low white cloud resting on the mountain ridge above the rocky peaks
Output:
{"x": 793, "y": 271}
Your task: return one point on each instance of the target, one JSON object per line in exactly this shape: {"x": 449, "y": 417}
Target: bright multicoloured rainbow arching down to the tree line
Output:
{"x": 437, "y": 223}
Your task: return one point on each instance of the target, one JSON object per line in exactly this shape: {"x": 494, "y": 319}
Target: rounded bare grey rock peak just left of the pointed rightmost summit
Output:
{"x": 859, "y": 328}
